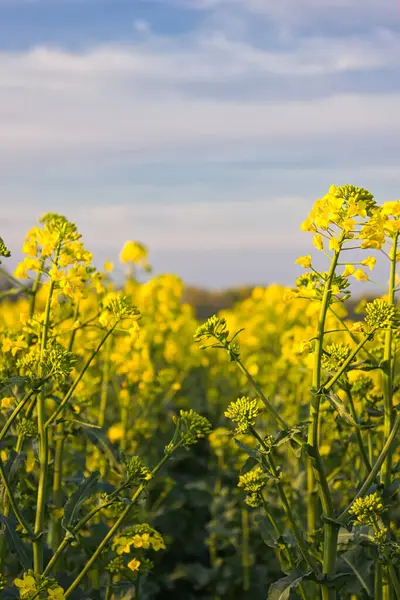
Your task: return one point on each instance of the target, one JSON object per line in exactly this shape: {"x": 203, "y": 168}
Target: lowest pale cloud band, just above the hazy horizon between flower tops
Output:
{"x": 219, "y": 226}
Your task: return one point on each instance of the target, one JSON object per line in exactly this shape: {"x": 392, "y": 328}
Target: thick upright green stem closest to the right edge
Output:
{"x": 388, "y": 370}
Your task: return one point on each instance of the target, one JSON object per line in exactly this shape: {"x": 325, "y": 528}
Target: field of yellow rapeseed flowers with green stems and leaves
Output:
{"x": 253, "y": 456}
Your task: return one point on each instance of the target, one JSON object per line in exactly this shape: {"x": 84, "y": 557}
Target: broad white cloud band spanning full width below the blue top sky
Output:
{"x": 57, "y": 103}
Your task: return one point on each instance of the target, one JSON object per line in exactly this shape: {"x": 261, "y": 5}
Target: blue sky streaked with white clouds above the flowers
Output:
{"x": 202, "y": 128}
